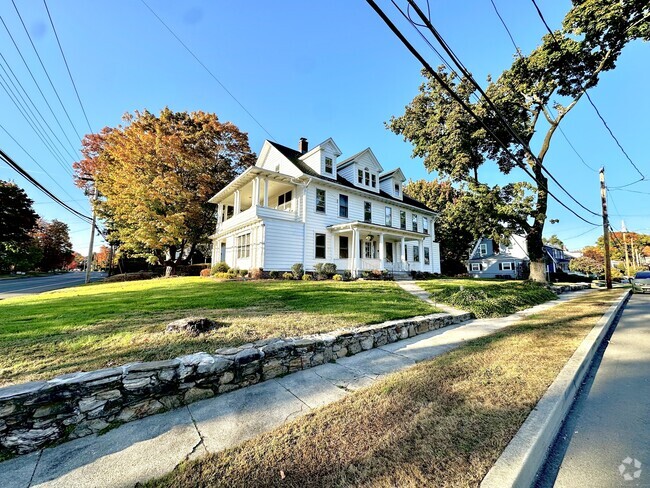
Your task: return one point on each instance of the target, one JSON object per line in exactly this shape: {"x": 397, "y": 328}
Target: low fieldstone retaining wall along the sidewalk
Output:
{"x": 37, "y": 414}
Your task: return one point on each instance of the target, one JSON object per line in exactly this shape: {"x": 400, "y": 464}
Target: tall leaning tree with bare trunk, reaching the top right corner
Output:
{"x": 592, "y": 36}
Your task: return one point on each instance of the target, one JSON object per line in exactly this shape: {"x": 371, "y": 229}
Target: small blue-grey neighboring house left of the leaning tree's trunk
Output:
{"x": 487, "y": 259}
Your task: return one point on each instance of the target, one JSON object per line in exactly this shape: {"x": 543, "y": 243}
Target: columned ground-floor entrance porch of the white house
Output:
{"x": 362, "y": 246}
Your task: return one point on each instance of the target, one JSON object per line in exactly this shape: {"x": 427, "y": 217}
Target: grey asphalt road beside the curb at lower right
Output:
{"x": 605, "y": 440}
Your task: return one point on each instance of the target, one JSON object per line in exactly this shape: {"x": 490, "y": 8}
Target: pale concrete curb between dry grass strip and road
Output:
{"x": 526, "y": 453}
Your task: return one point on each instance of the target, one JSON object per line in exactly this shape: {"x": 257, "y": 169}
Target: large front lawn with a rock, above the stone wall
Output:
{"x": 102, "y": 325}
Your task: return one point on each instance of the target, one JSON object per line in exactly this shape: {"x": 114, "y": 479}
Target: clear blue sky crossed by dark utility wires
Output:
{"x": 312, "y": 69}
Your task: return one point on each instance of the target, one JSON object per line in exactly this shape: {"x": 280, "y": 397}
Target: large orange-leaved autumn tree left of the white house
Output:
{"x": 154, "y": 176}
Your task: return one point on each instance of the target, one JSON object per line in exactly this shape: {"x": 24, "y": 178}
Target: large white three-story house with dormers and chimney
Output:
{"x": 310, "y": 207}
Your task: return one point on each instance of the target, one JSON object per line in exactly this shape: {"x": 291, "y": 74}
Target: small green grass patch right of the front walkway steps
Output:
{"x": 487, "y": 298}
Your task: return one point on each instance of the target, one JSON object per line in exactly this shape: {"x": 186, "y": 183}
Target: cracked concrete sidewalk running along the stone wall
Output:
{"x": 153, "y": 446}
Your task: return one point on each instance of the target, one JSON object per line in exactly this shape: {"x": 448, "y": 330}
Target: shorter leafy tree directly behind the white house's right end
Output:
{"x": 467, "y": 212}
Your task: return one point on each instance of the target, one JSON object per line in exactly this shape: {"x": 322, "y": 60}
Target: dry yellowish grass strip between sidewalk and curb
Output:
{"x": 443, "y": 422}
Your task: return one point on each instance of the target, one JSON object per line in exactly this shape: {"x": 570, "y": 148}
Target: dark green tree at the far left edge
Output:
{"x": 17, "y": 221}
